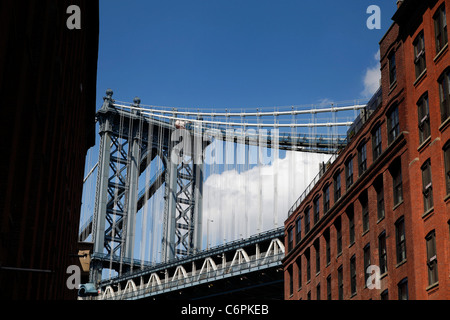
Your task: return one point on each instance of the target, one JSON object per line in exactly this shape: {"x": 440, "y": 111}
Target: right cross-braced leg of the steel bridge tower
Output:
{"x": 184, "y": 195}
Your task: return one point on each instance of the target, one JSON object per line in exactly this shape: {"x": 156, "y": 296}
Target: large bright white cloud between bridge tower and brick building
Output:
{"x": 237, "y": 205}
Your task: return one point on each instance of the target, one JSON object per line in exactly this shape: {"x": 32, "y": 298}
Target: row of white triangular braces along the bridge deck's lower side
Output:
{"x": 158, "y": 286}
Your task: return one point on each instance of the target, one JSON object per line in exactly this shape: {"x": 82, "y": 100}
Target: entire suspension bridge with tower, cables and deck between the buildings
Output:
{"x": 191, "y": 202}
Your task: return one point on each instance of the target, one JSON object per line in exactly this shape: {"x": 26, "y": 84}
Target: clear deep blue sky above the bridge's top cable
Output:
{"x": 237, "y": 53}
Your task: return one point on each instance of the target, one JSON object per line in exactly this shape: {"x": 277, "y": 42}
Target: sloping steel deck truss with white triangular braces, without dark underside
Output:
{"x": 255, "y": 254}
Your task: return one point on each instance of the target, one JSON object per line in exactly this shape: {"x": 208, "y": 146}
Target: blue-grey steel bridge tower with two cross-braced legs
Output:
{"x": 129, "y": 141}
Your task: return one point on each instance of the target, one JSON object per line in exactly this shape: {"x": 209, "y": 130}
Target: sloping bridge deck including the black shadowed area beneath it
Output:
{"x": 247, "y": 268}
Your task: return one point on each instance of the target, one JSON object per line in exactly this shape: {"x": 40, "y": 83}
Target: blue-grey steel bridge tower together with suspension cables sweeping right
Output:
{"x": 132, "y": 136}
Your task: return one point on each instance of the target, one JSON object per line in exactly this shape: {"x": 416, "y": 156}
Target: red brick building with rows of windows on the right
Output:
{"x": 385, "y": 201}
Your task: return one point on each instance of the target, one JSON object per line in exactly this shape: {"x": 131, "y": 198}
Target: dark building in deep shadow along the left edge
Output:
{"x": 48, "y": 77}
